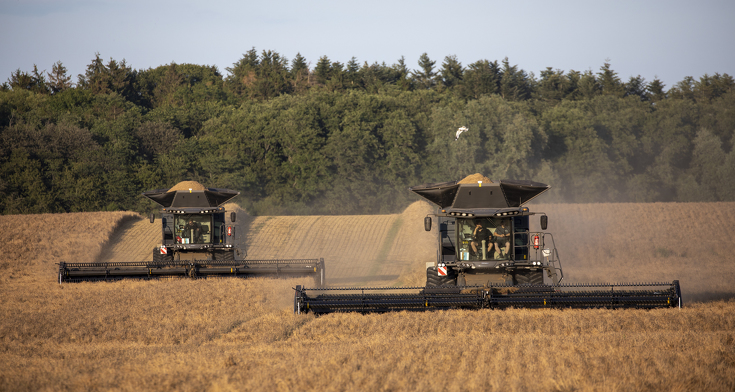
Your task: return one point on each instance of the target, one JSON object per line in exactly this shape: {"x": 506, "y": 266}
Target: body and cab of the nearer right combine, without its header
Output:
{"x": 484, "y": 234}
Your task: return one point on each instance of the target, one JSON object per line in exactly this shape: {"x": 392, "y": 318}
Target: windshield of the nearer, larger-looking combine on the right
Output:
{"x": 483, "y": 238}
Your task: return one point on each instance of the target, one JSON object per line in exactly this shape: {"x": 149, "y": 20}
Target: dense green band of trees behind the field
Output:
{"x": 349, "y": 138}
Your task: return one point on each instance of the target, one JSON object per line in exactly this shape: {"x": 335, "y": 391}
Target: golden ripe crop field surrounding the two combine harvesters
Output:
{"x": 241, "y": 334}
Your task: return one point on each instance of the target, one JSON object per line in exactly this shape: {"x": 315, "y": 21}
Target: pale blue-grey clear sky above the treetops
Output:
{"x": 664, "y": 39}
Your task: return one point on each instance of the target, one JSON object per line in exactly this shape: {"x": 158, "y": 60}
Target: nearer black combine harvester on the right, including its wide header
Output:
{"x": 487, "y": 257}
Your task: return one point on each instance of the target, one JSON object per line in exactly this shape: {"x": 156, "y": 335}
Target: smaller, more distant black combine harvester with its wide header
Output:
{"x": 196, "y": 242}
